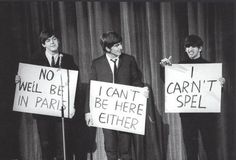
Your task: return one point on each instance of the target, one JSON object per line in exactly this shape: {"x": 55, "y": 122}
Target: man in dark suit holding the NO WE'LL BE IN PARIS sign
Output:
{"x": 49, "y": 128}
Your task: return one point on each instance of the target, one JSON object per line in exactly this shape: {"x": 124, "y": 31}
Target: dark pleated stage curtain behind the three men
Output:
{"x": 150, "y": 31}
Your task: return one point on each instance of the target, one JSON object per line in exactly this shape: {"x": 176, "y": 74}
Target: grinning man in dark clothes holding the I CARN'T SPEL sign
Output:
{"x": 195, "y": 123}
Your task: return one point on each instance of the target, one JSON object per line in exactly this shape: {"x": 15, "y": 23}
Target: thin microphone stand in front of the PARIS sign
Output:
{"x": 62, "y": 113}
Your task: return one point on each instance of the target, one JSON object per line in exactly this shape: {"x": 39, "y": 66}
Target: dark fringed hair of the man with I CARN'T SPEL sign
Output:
{"x": 193, "y": 40}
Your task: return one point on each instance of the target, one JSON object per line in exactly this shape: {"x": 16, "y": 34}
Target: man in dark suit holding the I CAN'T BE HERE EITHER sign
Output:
{"x": 117, "y": 67}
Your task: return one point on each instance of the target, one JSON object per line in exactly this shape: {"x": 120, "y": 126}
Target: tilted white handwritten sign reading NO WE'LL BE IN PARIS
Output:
{"x": 45, "y": 90}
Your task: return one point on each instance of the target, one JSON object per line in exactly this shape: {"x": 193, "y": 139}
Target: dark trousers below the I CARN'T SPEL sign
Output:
{"x": 205, "y": 124}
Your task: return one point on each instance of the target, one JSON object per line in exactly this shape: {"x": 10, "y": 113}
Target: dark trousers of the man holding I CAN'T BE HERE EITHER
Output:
{"x": 117, "y": 145}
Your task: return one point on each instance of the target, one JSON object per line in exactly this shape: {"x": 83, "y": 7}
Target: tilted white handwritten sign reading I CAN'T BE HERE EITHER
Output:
{"x": 118, "y": 107}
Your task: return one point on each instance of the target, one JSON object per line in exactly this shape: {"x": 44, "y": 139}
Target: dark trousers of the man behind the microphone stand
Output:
{"x": 51, "y": 140}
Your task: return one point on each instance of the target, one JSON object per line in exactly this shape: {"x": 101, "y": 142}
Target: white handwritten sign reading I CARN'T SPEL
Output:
{"x": 193, "y": 87}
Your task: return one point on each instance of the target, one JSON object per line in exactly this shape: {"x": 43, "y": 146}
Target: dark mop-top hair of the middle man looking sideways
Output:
{"x": 108, "y": 39}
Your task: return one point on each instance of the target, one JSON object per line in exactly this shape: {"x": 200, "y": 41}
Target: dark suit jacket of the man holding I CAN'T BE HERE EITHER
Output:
{"x": 127, "y": 73}
